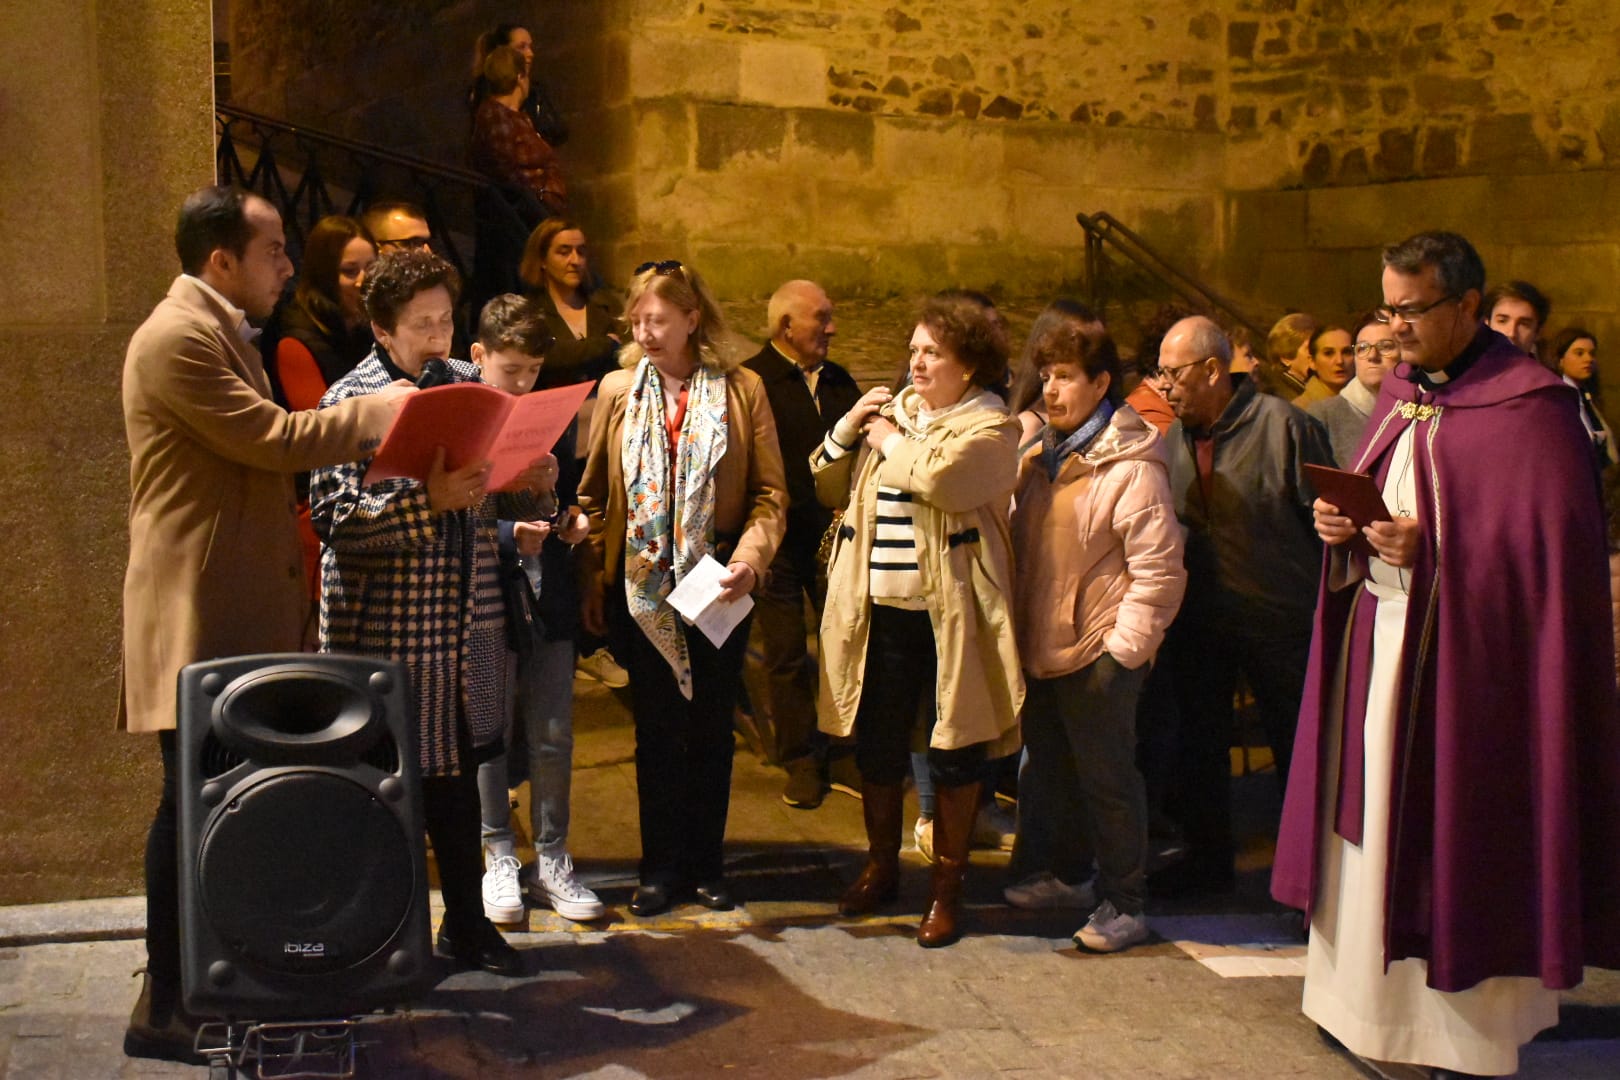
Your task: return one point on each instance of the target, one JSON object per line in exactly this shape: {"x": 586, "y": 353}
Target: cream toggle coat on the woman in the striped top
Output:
{"x": 963, "y": 474}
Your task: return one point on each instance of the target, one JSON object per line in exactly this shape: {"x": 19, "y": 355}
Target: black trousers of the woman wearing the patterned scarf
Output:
{"x": 683, "y": 749}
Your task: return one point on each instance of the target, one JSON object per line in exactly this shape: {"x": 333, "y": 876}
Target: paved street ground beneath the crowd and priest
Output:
{"x": 783, "y": 987}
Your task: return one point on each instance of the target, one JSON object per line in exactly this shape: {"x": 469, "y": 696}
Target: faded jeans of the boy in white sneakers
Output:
{"x": 544, "y": 705}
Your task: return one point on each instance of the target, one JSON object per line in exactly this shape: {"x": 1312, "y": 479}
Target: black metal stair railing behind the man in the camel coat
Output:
{"x": 309, "y": 174}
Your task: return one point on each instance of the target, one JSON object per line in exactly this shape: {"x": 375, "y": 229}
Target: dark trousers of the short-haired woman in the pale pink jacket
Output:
{"x": 1080, "y": 791}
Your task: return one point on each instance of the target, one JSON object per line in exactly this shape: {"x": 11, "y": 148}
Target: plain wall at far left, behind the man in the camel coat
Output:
{"x": 103, "y": 142}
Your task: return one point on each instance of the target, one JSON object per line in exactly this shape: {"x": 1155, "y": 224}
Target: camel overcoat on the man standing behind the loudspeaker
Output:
{"x": 216, "y": 566}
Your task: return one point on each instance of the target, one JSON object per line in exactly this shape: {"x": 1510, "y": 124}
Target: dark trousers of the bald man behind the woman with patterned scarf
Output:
{"x": 782, "y": 681}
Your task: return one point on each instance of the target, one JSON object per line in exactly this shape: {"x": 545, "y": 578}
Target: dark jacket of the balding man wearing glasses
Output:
{"x": 1251, "y": 551}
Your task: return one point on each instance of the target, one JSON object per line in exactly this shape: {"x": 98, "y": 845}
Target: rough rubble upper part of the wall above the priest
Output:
{"x": 1344, "y": 93}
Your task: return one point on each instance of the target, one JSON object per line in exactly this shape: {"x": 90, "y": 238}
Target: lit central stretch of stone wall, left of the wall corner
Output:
{"x": 885, "y": 150}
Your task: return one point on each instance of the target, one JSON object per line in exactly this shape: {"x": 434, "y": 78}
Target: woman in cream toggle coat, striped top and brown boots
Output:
{"x": 918, "y": 616}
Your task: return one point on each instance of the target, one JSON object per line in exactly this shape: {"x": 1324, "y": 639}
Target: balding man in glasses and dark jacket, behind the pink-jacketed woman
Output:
{"x": 1237, "y": 475}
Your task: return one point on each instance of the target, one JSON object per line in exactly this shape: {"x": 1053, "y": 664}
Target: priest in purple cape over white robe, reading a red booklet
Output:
{"x": 1454, "y": 802}
